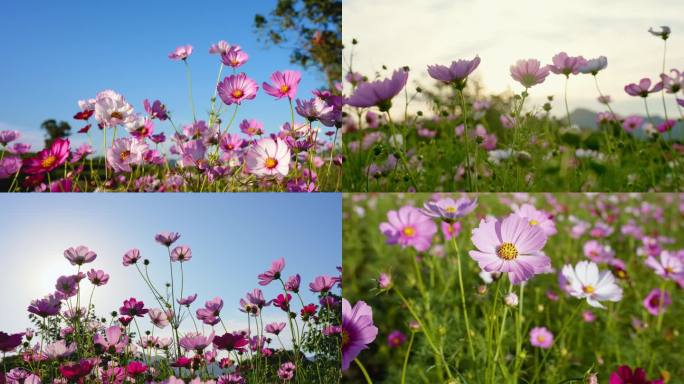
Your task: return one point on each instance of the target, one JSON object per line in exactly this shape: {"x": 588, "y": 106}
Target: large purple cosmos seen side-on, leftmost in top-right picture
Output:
{"x": 379, "y": 92}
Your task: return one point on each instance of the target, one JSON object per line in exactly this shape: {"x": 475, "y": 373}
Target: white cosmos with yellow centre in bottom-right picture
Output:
{"x": 585, "y": 281}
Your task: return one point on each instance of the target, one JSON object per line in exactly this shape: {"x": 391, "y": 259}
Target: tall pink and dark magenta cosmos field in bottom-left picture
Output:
{"x": 179, "y": 338}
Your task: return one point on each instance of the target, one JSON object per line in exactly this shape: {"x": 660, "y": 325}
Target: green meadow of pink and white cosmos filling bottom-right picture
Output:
{"x": 513, "y": 288}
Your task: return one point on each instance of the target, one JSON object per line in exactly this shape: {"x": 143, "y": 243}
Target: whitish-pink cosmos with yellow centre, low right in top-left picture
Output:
{"x": 268, "y": 157}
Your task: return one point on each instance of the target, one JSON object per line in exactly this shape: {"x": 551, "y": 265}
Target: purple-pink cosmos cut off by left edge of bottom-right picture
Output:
{"x": 357, "y": 330}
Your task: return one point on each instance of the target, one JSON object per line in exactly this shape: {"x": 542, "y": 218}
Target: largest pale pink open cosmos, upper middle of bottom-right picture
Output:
{"x": 510, "y": 245}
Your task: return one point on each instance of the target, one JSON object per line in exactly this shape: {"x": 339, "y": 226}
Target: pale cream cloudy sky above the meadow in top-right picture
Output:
{"x": 418, "y": 32}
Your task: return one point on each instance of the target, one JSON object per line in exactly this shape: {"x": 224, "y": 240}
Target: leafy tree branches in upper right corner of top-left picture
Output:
{"x": 315, "y": 27}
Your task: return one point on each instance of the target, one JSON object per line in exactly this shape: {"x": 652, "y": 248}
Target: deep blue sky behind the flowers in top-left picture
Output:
{"x": 55, "y": 53}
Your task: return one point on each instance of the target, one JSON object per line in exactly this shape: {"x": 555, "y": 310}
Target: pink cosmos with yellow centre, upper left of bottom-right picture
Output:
{"x": 409, "y": 227}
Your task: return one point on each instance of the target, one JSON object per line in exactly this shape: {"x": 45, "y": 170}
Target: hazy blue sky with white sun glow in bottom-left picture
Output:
{"x": 233, "y": 238}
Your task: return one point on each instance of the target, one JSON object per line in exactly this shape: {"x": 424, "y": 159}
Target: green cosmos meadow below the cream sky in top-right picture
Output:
{"x": 469, "y": 141}
